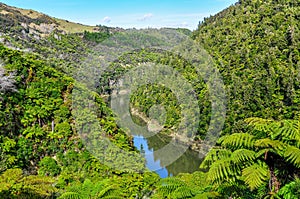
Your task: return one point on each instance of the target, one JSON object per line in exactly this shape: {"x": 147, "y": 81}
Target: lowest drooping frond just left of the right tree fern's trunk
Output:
{"x": 255, "y": 175}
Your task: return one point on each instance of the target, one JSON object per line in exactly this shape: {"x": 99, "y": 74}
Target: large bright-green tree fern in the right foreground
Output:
{"x": 253, "y": 156}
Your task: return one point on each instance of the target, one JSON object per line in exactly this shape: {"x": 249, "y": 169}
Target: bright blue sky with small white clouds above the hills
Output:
{"x": 128, "y": 13}
